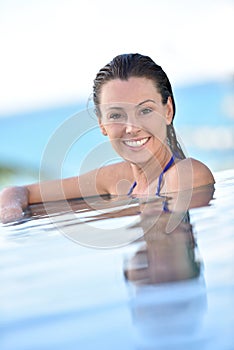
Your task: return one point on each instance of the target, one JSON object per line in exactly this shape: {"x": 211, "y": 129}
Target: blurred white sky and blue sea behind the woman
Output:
{"x": 51, "y": 51}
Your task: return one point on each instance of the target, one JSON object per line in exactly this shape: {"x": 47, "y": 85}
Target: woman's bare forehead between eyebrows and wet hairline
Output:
{"x": 134, "y": 90}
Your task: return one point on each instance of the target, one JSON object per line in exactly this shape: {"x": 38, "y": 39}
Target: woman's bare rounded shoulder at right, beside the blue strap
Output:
{"x": 188, "y": 173}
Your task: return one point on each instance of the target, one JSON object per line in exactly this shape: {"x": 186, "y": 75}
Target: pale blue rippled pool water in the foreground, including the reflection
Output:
{"x": 108, "y": 275}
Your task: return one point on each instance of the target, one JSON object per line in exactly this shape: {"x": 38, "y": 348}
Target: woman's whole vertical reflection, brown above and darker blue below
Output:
{"x": 166, "y": 284}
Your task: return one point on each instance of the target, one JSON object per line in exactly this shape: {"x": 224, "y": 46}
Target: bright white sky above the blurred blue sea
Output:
{"x": 51, "y": 50}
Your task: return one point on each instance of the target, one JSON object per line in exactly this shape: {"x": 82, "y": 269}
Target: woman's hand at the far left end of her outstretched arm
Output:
{"x": 13, "y": 201}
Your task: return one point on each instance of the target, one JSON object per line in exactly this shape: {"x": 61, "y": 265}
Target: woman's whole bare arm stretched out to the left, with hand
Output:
{"x": 14, "y": 200}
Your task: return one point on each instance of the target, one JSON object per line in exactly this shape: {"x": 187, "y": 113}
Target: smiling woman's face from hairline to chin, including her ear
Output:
{"x": 134, "y": 118}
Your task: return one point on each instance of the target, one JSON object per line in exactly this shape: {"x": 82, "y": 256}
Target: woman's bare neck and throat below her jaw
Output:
{"x": 146, "y": 174}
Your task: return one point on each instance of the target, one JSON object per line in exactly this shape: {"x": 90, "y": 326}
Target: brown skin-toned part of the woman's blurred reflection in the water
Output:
{"x": 165, "y": 257}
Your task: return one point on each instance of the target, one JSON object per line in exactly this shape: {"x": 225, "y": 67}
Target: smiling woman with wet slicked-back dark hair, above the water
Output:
{"x": 135, "y": 108}
